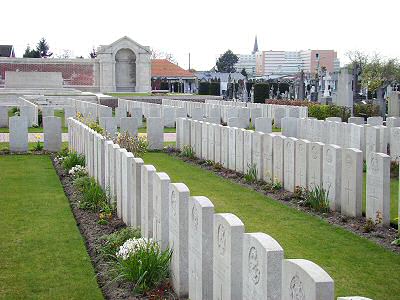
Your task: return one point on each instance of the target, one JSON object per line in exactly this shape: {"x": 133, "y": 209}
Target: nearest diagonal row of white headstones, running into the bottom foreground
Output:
{"x": 213, "y": 257}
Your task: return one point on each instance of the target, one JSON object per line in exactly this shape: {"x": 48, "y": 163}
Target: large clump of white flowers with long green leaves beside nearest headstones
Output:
{"x": 146, "y": 265}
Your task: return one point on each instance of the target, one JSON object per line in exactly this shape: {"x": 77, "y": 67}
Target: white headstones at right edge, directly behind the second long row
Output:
{"x": 365, "y": 137}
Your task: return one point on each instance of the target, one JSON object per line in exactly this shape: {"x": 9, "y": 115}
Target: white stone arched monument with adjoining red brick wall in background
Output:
{"x": 123, "y": 66}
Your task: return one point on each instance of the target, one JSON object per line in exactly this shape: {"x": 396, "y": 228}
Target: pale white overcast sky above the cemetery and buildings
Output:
{"x": 205, "y": 28}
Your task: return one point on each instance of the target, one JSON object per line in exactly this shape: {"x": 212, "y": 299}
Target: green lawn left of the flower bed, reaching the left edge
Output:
{"x": 42, "y": 254}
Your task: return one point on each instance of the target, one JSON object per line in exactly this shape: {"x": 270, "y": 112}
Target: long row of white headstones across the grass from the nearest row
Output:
{"x": 295, "y": 163}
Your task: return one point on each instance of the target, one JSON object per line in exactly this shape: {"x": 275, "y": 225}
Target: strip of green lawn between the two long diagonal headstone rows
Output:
{"x": 358, "y": 266}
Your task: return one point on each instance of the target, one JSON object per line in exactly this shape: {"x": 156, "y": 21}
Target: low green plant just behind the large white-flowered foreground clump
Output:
{"x": 110, "y": 243}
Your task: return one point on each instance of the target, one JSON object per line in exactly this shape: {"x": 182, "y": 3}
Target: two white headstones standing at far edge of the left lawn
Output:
{"x": 18, "y": 127}
